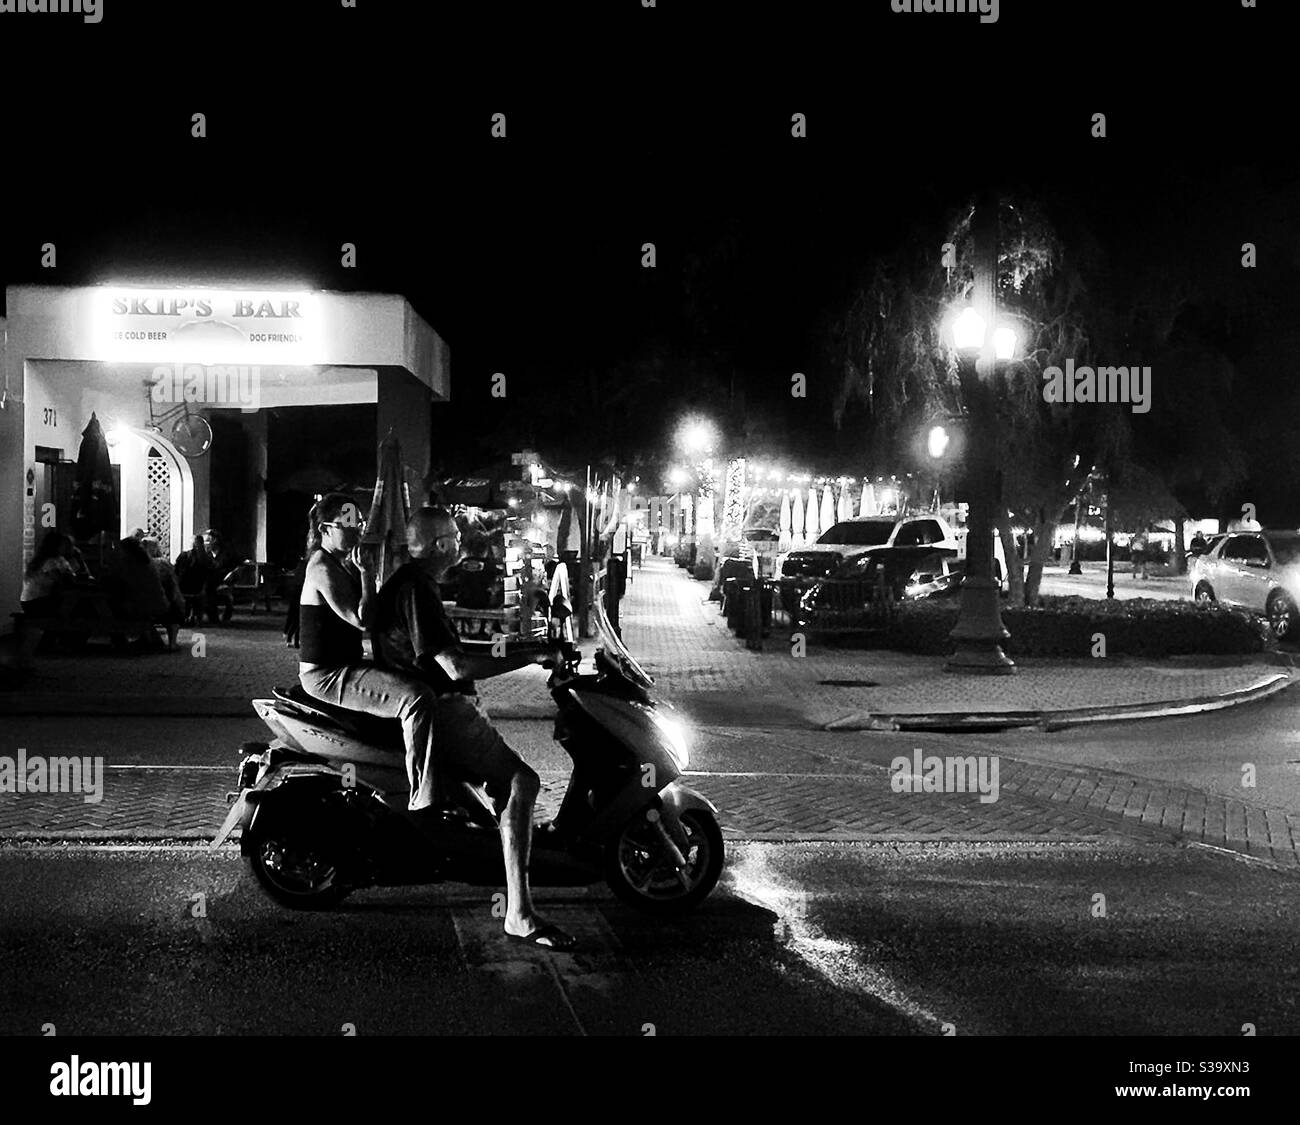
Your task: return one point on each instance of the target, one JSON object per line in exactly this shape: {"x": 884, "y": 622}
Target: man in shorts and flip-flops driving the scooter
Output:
{"x": 413, "y": 638}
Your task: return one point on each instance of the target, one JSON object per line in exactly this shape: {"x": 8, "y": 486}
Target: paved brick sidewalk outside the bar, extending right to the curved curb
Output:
{"x": 682, "y": 641}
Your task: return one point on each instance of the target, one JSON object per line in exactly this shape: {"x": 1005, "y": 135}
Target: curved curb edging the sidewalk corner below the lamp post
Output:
{"x": 1058, "y": 720}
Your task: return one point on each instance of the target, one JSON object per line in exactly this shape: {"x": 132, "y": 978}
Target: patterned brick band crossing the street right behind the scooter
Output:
{"x": 1038, "y": 803}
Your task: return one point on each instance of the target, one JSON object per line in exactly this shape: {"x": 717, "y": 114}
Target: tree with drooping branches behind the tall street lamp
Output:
{"x": 891, "y": 361}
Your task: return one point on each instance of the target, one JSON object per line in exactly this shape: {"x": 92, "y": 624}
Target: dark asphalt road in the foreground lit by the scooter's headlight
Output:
{"x": 801, "y": 940}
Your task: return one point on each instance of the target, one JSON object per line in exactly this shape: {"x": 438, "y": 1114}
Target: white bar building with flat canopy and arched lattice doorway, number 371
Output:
{"x": 184, "y": 379}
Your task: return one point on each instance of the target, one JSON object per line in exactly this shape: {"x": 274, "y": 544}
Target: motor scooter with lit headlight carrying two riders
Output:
{"x": 323, "y": 810}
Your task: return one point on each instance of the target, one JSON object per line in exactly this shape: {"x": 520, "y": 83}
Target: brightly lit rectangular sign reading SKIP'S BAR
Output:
{"x": 206, "y": 327}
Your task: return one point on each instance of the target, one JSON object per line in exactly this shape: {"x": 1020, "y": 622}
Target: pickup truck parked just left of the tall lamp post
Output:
{"x": 895, "y": 544}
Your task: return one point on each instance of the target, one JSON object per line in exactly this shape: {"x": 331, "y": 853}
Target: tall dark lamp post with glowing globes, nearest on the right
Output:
{"x": 980, "y": 633}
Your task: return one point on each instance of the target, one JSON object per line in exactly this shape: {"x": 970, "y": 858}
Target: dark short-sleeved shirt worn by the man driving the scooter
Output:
{"x": 410, "y": 624}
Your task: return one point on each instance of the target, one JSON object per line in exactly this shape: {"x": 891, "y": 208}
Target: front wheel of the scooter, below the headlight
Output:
{"x": 643, "y": 872}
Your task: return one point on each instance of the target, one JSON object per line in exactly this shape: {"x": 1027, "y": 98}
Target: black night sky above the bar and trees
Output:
{"x": 526, "y": 256}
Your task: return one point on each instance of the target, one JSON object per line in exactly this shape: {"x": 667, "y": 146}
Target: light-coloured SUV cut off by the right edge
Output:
{"x": 1254, "y": 570}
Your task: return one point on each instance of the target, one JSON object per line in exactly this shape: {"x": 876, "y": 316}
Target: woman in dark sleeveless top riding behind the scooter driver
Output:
{"x": 335, "y": 608}
